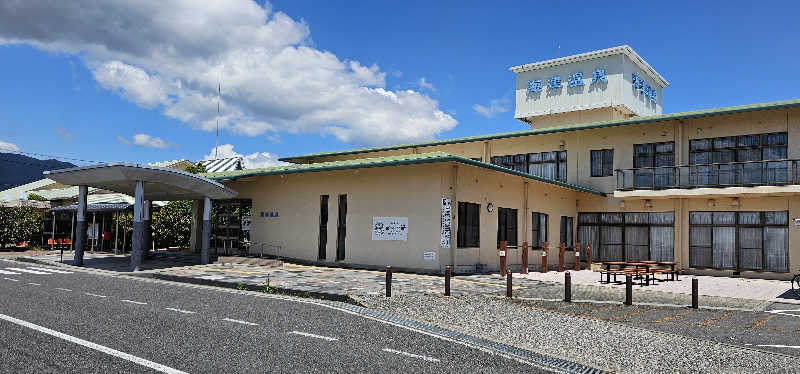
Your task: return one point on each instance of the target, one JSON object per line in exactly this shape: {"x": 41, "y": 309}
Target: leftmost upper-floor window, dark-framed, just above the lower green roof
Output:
{"x": 550, "y": 165}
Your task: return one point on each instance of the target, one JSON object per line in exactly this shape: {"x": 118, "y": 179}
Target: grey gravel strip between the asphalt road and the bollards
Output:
{"x": 609, "y": 346}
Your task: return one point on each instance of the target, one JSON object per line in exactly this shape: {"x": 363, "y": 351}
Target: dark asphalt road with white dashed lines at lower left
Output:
{"x": 91, "y": 323}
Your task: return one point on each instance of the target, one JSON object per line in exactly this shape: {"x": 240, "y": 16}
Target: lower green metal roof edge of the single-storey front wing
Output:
{"x": 409, "y": 159}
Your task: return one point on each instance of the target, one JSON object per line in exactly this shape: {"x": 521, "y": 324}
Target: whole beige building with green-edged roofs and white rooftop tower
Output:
{"x": 715, "y": 190}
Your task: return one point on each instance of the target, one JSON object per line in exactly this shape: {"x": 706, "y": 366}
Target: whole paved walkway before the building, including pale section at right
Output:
{"x": 716, "y": 291}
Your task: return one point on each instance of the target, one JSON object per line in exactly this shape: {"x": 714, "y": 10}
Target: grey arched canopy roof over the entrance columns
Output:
{"x": 159, "y": 183}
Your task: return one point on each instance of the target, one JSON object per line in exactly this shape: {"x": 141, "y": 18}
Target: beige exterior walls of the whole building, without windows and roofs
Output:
{"x": 482, "y": 186}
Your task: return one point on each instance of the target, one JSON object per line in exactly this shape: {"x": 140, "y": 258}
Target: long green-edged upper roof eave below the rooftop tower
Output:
{"x": 575, "y": 127}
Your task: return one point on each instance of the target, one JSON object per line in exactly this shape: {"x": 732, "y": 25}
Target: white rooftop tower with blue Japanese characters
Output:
{"x": 603, "y": 85}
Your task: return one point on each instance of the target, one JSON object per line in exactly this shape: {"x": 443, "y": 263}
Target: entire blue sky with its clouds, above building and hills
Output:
{"x": 322, "y": 80}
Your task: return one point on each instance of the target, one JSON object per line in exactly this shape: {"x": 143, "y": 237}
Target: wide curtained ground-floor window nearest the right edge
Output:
{"x": 739, "y": 240}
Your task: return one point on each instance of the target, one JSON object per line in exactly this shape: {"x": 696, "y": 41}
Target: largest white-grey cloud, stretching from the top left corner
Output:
{"x": 171, "y": 55}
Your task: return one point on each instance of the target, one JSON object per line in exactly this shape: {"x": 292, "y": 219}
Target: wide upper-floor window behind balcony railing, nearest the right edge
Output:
{"x": 743, "y": 148}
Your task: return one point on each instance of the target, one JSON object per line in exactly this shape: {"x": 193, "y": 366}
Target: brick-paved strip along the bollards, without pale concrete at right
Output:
{"x": 355, "y": 282}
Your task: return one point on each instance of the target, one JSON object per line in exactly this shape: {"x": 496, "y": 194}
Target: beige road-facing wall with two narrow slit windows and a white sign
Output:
{"x": 403, "y": 191}
